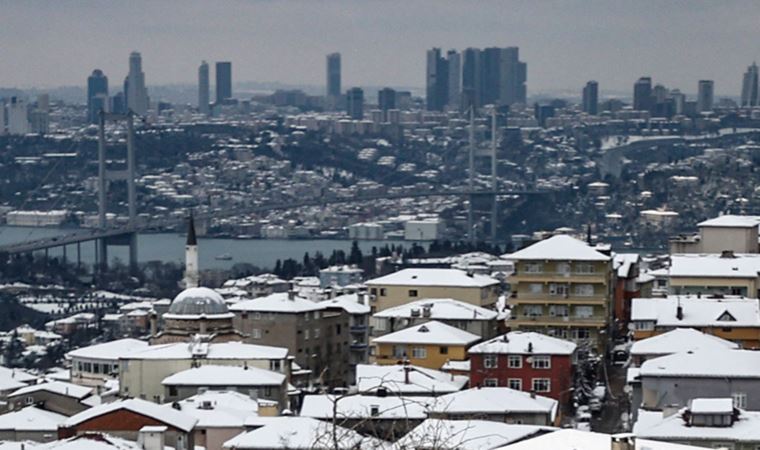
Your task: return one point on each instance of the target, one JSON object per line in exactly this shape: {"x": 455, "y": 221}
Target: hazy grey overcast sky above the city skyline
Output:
{"x": 565, "y": 42}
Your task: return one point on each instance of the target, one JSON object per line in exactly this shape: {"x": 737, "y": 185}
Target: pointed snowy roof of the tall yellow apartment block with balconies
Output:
{"x": 559, "y": 248}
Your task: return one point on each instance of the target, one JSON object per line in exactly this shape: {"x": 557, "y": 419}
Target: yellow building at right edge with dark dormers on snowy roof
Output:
{"x": 735, "y": 319}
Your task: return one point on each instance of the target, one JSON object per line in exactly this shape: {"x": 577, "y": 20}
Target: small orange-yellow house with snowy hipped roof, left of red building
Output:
{"x": 431, "y": 345}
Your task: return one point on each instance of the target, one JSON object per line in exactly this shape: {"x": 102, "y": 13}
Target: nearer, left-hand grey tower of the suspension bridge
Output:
{"x": 129, "y": 237}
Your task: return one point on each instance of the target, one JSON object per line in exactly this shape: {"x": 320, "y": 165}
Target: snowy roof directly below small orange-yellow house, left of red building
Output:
{"x": 422, "y": 381}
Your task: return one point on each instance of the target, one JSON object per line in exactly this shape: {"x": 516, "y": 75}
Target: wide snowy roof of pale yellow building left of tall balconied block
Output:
{"x": 433, "y": 277}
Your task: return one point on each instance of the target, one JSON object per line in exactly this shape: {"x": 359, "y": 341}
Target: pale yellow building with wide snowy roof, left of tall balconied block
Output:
{"x": 409, "y": 285}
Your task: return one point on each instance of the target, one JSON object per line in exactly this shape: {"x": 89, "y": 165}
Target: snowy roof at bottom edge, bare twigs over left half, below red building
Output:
{"x": 466, "y": 435}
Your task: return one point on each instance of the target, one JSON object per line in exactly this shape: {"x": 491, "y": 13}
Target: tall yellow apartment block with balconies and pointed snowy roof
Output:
{"x": 562, "y": 287}
